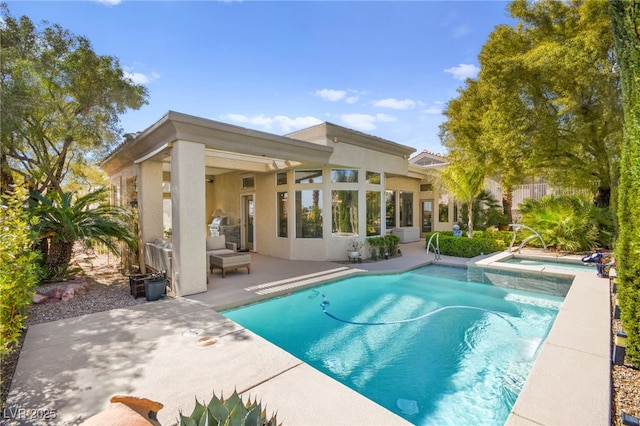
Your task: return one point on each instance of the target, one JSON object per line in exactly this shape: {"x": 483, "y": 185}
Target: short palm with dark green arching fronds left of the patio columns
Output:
{"x": 88, "y": 218}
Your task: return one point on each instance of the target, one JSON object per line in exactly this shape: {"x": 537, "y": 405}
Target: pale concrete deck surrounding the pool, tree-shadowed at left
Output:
{"x": 74, "y": 366}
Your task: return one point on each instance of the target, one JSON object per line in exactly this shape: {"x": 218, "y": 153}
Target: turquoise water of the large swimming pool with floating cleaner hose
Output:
{"x": 450, "y": 351}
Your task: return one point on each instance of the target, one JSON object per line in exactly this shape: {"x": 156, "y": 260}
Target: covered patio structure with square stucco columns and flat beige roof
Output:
{"x": 193, "y": 151}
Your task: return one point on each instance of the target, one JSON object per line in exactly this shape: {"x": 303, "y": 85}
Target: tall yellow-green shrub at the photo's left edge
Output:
{"x": 18, "y": 267}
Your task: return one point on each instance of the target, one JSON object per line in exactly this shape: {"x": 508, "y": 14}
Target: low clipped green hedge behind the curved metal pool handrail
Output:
{"x": 469, "y": 247}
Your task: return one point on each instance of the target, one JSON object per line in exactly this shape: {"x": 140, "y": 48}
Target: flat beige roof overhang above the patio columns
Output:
{"x": 267, "y": 150}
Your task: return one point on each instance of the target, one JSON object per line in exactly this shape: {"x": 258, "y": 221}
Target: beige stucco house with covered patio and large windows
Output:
{"x": 302, "y": 196}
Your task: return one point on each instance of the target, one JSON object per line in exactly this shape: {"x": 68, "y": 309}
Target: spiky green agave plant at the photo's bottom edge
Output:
{"x": 228, "y": 412}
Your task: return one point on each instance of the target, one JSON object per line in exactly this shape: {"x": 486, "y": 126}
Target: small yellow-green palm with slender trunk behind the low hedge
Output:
{"x": 465, "y": 184}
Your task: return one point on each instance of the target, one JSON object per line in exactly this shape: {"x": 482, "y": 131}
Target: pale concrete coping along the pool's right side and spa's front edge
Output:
{"x": 570, "y": 382}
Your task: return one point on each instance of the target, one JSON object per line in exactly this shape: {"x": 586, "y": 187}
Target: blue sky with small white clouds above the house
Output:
{"x": 383, "y": 68}
